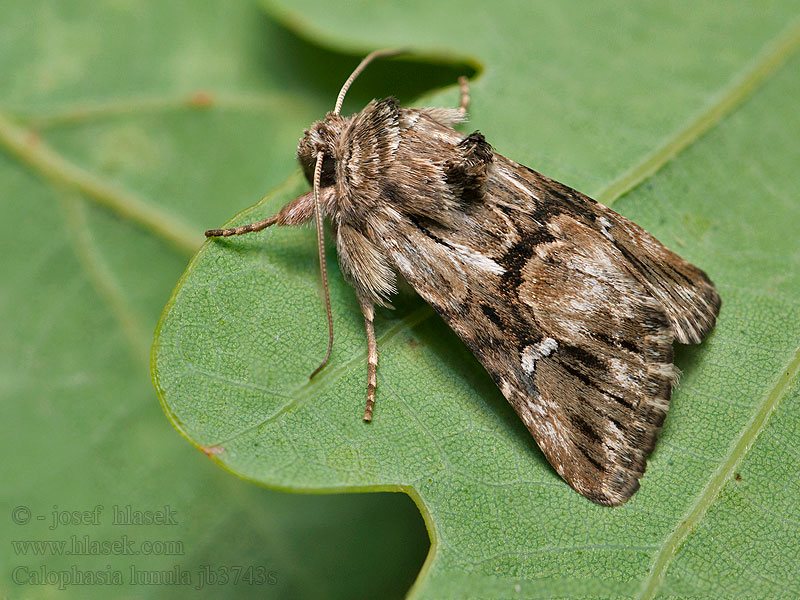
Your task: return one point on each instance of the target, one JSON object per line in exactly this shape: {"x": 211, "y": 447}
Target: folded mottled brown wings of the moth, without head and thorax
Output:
{"x": 576, "y": 336}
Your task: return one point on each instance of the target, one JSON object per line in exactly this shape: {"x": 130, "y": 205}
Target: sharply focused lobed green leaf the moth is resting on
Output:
{"x": 603, "y": 98}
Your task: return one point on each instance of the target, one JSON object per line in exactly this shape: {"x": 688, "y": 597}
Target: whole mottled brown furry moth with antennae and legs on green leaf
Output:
{"x": 570, "y": 307}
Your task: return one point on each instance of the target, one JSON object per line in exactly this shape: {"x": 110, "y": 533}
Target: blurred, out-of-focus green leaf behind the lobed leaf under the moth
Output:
{"x": 126, "y": 129}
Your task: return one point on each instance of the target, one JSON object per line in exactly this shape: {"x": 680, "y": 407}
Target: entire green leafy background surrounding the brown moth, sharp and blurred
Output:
{"x": 129, "y": 127}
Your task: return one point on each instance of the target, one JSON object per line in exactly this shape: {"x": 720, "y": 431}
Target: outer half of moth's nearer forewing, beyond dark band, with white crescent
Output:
{"x": 602, "y": 369}
